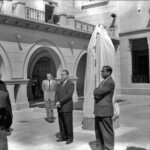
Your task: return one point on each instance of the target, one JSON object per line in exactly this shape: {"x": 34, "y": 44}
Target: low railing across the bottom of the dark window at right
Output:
{"x": 140, "y": 79}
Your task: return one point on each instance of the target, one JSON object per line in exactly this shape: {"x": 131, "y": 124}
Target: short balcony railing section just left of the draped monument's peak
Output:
{"x": 84, "y": 26}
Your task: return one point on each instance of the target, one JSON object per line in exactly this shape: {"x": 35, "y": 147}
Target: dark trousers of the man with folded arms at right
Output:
{"x": 104, "y": 133}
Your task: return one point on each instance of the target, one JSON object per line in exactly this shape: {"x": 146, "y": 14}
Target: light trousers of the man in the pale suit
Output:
{"x": 49, "y": 105}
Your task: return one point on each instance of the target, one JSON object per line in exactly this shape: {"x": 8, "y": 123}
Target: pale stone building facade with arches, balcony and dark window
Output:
{"x": 40, "y": 36}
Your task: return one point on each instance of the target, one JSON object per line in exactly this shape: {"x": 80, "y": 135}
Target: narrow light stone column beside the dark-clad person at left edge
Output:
{"x": 10, "y": 88}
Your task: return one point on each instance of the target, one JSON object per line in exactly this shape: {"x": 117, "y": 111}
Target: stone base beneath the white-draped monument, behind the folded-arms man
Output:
{"x": 89, "y": 123}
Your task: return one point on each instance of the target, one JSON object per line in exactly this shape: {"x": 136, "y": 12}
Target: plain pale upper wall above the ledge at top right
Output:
{"x": 134, "y": 15}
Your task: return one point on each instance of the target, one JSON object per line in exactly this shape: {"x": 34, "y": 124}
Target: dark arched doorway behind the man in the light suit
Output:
{"x": 41, "y": 67}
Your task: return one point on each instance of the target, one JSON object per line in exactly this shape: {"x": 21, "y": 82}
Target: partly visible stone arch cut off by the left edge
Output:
{"x": 5, "y": 65}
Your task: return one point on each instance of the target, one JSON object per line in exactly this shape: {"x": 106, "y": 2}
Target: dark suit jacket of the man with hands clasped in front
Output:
{"x": 64, "y": 96}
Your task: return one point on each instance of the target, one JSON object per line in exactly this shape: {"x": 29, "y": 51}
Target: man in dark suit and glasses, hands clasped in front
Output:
{"x": 64, "y": 103}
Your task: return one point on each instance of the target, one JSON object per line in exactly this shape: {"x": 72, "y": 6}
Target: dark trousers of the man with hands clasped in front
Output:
{"x": 66, "y": 125}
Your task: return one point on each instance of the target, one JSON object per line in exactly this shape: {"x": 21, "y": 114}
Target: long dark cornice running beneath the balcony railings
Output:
{"x": 42, "y": 26}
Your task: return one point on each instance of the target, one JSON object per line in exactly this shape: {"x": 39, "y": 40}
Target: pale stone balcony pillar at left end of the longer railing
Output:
{"x": 19, "y": 9}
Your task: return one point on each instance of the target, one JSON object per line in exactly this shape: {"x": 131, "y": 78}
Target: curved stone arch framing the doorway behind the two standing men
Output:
{"x": 52, "y": 49}
